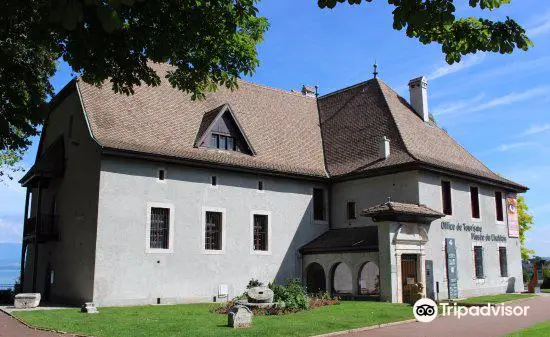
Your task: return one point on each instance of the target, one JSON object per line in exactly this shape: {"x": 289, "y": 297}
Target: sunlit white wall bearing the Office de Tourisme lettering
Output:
{"x": 430, "y": 194}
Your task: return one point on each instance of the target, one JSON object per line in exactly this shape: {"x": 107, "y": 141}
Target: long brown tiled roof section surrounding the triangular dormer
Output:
{"x": 283, "y": 127}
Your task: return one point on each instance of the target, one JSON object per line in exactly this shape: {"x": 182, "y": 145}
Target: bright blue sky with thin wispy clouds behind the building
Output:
{"x": 494, "y": 105}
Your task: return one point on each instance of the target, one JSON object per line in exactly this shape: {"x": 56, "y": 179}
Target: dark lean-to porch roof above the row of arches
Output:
{"x": 355, "y": 239}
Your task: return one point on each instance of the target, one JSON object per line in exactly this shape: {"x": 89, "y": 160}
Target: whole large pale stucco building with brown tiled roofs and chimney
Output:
{"x": 155, "y": 198}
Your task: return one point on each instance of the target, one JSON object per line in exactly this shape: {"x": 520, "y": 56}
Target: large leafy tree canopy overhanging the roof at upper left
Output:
{"x": 209, "y": 43}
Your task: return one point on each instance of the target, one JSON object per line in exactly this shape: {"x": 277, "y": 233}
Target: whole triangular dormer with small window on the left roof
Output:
{"x": 221, "y": 130}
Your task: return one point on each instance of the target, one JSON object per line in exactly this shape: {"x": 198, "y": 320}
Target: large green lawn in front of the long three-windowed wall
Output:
{"x": 197, "y": 320}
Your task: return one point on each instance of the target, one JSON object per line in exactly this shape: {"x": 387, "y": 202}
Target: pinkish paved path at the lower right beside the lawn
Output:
{"x": 469, "y": 326}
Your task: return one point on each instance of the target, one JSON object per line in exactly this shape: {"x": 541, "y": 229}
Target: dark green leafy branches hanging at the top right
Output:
{"x": 435, "y": 21}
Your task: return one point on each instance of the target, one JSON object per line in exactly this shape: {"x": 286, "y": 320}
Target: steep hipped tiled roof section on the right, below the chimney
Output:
{"x": 353, "y": 120}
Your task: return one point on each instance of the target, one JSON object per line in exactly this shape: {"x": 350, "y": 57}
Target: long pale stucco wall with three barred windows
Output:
{"x": 125, "y": 273}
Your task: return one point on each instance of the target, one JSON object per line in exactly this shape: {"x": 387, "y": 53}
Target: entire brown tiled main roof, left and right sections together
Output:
{"x": 335, "y": 136}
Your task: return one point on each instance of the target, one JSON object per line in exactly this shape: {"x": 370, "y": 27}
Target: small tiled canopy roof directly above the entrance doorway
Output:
{"x": 398, "y": 211}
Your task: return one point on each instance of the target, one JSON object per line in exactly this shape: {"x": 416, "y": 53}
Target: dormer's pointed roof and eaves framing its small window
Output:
{"x": 225, "y": 116}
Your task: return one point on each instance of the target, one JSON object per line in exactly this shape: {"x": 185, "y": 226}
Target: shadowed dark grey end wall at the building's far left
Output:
{"x": 72, "y": 257}
